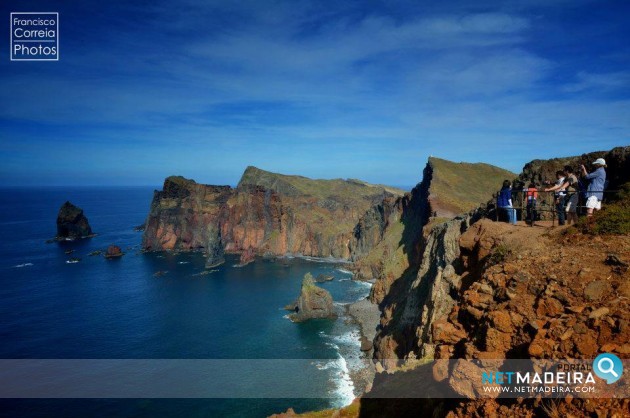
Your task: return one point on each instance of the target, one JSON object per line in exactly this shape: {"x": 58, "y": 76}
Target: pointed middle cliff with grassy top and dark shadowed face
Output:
{"x": 394, "y": 231}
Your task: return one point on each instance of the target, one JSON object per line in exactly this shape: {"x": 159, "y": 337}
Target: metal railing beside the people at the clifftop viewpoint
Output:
{"x": 545, "y": 203}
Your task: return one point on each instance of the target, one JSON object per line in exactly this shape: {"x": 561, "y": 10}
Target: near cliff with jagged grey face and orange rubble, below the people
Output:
{"x": 488, "y": 290}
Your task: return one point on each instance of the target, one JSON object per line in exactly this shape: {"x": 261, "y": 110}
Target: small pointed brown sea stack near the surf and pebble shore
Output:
{"x": 314, "y": 302}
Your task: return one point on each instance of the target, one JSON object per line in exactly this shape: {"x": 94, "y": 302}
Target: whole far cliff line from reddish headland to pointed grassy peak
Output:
{"x": 378, "y": 227}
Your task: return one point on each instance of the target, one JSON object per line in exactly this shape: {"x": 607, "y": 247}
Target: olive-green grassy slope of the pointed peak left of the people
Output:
{"x": 460, "y": 187}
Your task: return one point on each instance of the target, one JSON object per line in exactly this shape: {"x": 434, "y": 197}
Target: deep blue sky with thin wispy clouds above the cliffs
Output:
{"x": 365, "y": 89}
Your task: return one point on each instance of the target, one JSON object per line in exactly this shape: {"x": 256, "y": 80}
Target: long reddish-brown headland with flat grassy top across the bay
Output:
{"x": 267, "y": 213}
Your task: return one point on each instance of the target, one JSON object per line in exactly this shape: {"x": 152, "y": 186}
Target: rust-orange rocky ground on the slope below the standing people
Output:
{"x": 544, "y": 293}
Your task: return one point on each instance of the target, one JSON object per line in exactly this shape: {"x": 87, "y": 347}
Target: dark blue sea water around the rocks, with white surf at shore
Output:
{"x": 120, "y": 309}
